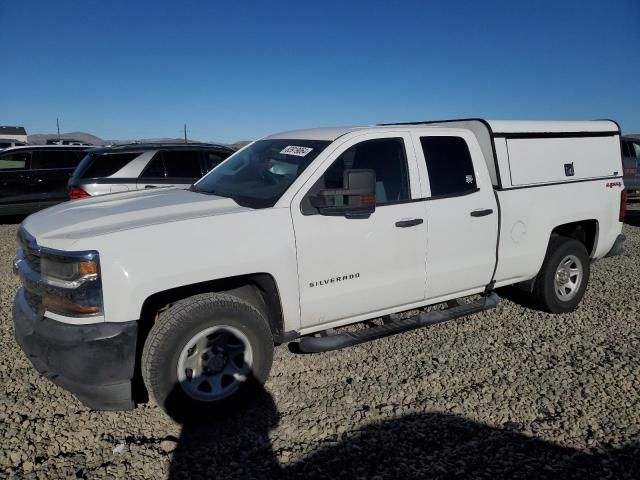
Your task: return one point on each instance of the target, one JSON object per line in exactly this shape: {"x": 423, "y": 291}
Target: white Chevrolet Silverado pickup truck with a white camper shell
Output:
{"x": 181, "y": 294}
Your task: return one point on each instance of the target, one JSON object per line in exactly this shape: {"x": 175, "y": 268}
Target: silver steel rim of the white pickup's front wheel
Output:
{"x": 214, "y": 363}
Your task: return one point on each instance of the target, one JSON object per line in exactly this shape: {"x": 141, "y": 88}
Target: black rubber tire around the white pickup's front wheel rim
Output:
{"x": 179, "y": 325}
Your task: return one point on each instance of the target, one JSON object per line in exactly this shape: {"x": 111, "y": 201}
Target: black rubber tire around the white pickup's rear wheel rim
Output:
{"x": 544, "y": 289}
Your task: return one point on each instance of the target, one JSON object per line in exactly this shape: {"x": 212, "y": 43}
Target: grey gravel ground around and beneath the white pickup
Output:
{"x": 513, "y": 393}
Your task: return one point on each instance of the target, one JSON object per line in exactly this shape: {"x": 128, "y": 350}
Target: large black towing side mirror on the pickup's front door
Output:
{"x": 356, "y": 198}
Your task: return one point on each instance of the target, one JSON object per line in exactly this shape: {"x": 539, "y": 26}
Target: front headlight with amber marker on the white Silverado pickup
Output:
{"x": 72, "y": 284}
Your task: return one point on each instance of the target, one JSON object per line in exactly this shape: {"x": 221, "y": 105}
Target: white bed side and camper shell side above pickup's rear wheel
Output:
{"x": 551, "y": 180}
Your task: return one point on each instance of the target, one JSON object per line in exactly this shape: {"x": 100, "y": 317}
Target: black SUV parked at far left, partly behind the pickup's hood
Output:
{"x": 35, "y": 177}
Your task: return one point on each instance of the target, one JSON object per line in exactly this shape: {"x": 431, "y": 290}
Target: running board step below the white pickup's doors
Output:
{"x": 334, "y": 342}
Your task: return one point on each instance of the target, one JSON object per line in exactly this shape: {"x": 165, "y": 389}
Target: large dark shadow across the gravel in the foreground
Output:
{"x": 237, "y": 444}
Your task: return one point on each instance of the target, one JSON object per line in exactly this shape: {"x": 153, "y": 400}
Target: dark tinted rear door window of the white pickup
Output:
{"x": 449, "y": 166}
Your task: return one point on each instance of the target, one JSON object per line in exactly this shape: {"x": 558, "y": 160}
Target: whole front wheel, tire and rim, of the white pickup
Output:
{"x": 204, "y": 352}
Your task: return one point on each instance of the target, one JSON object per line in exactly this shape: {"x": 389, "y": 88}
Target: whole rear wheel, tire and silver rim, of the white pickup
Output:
{"x": 562, "y": 281}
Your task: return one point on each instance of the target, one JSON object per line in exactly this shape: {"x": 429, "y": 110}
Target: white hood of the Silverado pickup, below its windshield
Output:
{"x": 62, "y": 225}
